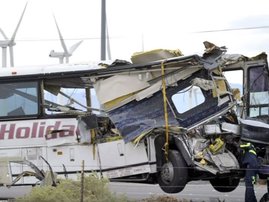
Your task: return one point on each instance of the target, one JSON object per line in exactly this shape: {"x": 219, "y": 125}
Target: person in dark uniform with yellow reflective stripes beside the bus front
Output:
{"x": 251, "y": 165}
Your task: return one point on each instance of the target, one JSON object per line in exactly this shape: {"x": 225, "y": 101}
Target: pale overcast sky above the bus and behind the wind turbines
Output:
{"x": 133, "y": 25}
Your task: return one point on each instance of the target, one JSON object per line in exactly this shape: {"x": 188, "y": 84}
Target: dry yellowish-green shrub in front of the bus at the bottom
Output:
{"x": 95, "y": 190}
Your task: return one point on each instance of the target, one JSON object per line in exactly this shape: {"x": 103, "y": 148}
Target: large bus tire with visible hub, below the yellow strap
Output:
{"x": 173, "y": 176}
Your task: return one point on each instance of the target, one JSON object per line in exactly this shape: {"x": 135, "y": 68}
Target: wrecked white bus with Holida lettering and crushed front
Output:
{"x": 164, "y": 118}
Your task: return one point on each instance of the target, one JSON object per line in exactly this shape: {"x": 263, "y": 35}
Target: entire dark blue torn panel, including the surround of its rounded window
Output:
{"x": 137, "y": 117}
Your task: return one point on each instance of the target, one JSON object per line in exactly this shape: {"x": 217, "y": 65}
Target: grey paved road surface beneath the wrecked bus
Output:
{"x": 195, "y": 191}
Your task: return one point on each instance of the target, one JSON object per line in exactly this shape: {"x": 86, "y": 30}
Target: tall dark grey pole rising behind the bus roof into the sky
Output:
{"x": 103, "y": 30}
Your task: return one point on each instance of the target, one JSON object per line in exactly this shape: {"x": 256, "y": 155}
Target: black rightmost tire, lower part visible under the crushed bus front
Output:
{"x": 227, "y": 184}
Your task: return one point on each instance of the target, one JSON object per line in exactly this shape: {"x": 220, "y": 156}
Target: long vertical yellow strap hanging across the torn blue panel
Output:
{"x": 166, "y": 146}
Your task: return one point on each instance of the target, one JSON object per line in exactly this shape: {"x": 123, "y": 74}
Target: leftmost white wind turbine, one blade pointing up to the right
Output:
{"x": 9, "y": 43}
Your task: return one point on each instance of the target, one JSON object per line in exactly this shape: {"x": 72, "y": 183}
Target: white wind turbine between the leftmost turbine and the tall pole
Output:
{"x": 67, "y": 53}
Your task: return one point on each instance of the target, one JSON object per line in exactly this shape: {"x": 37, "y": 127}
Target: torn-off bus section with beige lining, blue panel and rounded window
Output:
{"x": 133, "y": 98}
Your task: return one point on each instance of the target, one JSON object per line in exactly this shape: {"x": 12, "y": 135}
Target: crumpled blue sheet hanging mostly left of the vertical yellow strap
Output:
{"x": 136, "y": 117}
